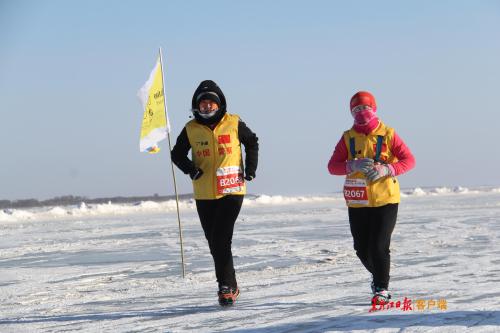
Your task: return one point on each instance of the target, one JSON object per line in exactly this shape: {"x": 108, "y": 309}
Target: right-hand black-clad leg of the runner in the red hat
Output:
{"x": 383, "y": 220}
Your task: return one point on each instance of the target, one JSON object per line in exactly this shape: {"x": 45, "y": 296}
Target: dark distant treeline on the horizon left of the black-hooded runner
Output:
{"x": 69, "y": 200}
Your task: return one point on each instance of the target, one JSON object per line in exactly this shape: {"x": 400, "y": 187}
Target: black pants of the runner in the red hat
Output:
{"x": 371, "y": 228}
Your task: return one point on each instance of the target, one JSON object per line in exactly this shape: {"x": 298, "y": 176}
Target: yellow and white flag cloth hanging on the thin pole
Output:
{"x": 155, "y": 124}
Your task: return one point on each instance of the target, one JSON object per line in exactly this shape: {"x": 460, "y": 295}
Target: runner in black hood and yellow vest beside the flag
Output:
{"x": 219, "y": 174}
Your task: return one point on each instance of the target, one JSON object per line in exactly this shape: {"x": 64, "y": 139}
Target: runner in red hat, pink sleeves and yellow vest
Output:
{"x": 371, "y": 155}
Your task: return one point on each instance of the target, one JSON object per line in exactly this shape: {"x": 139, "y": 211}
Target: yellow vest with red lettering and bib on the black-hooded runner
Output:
{"x": 218, "y": 153}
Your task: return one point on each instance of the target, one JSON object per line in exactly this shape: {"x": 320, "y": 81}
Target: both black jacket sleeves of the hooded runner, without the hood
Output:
{"x": 246, "y": 137}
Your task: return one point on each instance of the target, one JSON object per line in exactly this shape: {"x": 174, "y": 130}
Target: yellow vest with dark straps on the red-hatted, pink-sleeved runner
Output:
{"x": 359, "y": 191}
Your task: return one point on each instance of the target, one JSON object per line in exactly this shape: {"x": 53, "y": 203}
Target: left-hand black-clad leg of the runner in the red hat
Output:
{"x": 360, "y": 230}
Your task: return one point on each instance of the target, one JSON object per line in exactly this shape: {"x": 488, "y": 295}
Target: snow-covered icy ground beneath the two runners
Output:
{"x": 116, "y": 268}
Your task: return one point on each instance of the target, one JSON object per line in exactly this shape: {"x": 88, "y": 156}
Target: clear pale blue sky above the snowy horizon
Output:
{"x": 70, "y": 71}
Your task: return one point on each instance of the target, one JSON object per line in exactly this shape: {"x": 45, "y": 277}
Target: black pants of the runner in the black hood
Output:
{"x": 217, "y": 218}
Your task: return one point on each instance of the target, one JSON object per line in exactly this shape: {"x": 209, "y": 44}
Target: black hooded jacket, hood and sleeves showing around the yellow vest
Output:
{"x": 245, "y": 135}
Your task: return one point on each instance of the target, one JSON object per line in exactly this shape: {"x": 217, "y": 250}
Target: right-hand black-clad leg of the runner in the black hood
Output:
{"x": 221, "y": 238}
